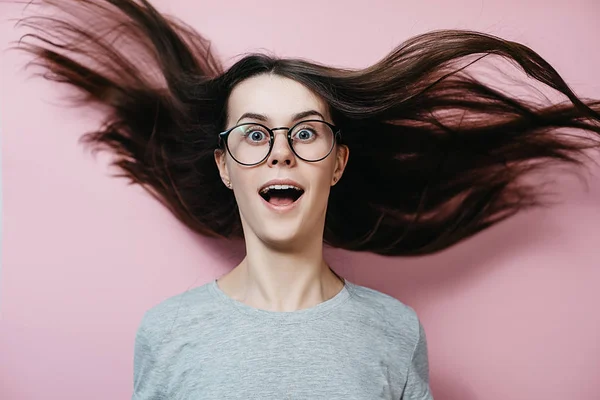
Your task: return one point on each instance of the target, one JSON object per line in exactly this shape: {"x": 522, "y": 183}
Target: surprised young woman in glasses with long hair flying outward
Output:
{"x": 408, "y": 156}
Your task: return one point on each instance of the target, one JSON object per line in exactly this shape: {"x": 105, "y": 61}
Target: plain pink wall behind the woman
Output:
{"x": 510, "y": 314}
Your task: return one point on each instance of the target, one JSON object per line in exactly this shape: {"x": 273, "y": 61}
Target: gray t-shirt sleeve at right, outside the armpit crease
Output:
{"x": 417, "y": 383}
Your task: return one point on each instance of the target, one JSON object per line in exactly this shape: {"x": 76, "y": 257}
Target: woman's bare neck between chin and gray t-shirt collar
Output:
{"x": 282, "y": 280}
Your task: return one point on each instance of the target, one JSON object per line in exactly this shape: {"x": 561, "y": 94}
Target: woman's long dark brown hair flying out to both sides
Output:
{"x": 436, "y": 154}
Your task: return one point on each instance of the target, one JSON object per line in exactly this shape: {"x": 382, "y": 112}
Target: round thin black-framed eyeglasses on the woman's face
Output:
{"x": 251, "y": 143}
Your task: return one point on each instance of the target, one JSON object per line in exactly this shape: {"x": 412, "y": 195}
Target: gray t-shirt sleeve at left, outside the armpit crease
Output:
{"x": 146, "y": 374}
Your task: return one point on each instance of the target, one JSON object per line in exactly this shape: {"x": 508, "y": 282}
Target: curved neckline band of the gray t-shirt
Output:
{"x": 305, "y": 314}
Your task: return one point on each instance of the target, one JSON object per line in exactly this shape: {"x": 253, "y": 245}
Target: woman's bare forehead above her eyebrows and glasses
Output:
{"x": 276, "y": 97}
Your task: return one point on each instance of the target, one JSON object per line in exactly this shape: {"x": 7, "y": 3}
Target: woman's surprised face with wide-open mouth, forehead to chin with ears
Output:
{"x": 275, "y": 217}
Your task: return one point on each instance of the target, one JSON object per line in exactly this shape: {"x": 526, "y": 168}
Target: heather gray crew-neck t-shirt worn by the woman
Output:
{"x": 203, "y": 345}
